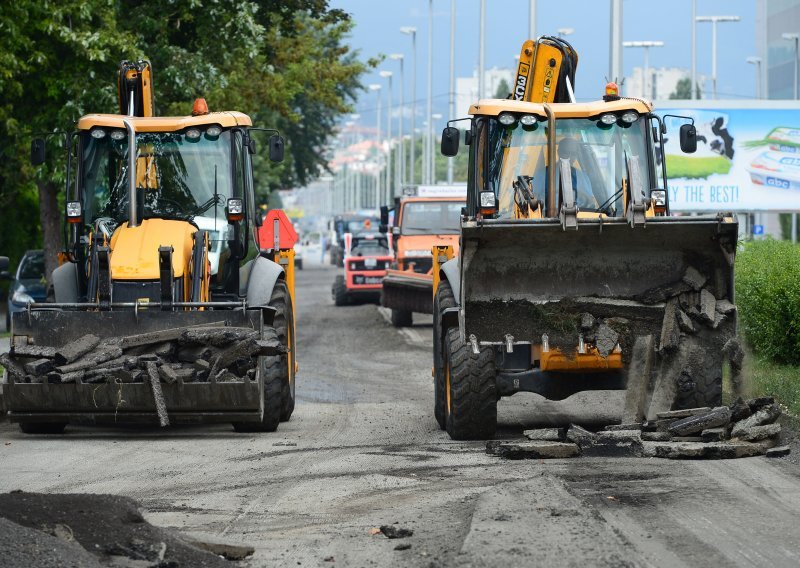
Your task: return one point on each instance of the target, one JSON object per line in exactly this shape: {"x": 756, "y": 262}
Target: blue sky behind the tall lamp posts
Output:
{"x": 378, "y": 22}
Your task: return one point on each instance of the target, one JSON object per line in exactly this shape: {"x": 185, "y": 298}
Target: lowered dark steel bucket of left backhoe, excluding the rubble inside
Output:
{"x": 120, "y": 401}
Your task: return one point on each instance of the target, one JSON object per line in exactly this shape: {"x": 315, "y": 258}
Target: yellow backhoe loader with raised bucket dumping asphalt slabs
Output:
{"x": 572, "y": 273}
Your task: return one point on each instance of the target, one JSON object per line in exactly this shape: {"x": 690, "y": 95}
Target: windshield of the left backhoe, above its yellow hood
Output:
{"x": 177, "y": 177}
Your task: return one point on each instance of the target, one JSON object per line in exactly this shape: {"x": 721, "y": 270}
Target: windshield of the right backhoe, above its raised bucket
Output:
{"x": 600, "y": 158}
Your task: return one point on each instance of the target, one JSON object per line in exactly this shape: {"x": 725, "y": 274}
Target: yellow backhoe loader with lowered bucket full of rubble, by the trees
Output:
{"x": 167, "y": 307}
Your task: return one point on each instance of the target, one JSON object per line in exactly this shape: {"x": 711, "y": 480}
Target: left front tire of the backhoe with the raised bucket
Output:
{"x": 470, "y": 385}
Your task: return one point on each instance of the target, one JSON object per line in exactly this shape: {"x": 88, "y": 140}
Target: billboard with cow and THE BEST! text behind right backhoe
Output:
{"x": 747, "y": 159}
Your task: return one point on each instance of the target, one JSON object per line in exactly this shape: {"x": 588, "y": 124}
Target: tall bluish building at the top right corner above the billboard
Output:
{"x": 774, "y": 18}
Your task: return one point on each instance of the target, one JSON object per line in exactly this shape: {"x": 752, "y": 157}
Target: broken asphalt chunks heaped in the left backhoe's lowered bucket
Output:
{"x": 188, "y": 354}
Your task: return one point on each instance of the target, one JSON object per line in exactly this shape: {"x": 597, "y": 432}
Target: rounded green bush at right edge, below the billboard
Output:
{"x": 768, "y": 298}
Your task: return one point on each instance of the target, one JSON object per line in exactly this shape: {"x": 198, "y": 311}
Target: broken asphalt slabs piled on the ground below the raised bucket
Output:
{"x": 743, "y": 429}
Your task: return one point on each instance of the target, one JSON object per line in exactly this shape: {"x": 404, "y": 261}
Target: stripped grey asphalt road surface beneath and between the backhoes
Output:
{"x": 363, "y": 450}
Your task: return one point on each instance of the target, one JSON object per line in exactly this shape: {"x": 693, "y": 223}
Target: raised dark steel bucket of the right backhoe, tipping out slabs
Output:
{"x": 526, "y": 279}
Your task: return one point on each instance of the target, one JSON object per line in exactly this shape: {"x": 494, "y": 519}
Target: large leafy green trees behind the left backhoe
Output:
{"x": 286, "y": 63}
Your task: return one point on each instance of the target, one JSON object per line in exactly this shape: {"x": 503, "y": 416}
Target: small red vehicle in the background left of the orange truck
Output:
{"x": 366, "y": 258}
